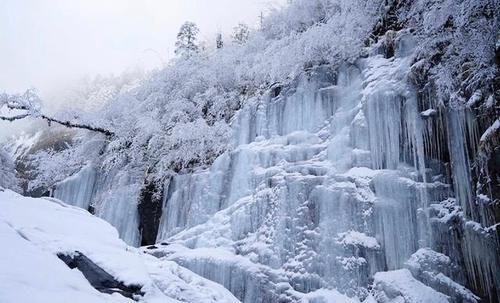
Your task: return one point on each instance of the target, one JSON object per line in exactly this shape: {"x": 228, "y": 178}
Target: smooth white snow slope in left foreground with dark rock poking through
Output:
{"x": 35, "y": 232}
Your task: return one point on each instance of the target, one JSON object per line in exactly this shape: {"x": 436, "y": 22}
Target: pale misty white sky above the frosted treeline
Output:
{"x": 46, "y": 43}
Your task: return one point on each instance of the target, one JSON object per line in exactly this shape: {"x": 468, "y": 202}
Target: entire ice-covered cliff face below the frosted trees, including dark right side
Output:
{"x": 376, "y": 176}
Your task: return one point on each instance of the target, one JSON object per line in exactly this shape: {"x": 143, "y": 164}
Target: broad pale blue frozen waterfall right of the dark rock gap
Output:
{"x": 328, "y": 183}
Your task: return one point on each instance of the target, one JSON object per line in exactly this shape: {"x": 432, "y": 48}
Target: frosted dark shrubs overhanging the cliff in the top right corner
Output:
{"x": 456, "y": 46}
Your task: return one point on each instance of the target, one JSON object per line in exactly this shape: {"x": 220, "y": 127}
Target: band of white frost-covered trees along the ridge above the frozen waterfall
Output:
{"x": 177, "y": 119}
